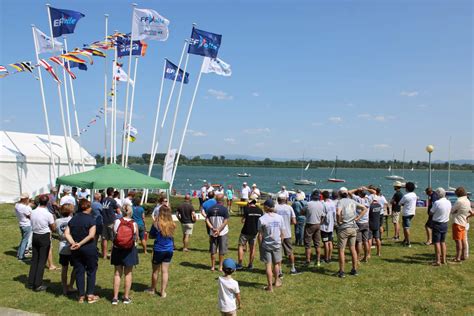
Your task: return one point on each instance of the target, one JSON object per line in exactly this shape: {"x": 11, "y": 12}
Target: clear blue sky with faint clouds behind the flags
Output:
{"x": 357, "y": 79}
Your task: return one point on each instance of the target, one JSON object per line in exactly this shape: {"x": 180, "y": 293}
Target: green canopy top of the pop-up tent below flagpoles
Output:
{"x": 114, "y": 176}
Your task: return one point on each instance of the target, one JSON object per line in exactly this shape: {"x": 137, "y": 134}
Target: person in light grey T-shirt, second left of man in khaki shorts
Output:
{"x": 314, "y": 213}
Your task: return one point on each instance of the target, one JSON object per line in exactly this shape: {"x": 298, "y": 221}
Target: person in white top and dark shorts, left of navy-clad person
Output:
{"x": 64, "y": 248}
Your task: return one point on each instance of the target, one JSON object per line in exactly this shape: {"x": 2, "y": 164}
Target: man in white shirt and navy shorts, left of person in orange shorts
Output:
{"x": 439, "y": 213}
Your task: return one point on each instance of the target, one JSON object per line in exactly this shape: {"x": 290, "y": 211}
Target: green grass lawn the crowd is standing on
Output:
{"x": 399, "y": 282}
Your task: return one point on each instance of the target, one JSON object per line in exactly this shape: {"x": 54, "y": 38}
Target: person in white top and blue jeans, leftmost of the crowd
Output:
{"x": 23, "y": 214}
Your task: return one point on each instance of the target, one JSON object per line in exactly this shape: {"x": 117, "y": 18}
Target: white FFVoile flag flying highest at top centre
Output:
{"x": 149, "y": 24}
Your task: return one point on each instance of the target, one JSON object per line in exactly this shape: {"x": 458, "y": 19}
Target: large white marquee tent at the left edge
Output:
{"x": 25, "y": 164}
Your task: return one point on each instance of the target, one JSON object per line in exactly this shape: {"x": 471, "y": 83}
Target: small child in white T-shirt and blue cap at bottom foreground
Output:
{"x": 229, "y": 291}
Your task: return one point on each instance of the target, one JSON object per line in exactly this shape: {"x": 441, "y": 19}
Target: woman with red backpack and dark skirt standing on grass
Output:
{"x": 124, "y": 253}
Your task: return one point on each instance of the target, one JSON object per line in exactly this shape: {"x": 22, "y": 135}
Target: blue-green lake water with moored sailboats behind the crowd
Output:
{"x": 190, "y": 178}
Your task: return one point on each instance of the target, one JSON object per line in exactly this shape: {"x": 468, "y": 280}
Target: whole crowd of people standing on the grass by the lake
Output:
{"x": 338, "y": 219}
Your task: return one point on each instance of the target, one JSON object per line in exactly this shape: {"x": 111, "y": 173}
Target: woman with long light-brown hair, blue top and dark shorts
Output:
{"x": 162, "y": 230}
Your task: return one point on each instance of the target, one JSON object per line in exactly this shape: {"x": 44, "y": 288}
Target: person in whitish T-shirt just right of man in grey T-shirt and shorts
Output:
{"x": 289, "y": 218}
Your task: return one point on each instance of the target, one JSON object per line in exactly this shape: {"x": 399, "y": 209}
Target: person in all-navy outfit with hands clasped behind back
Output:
{"x": 80, "y": 234}
